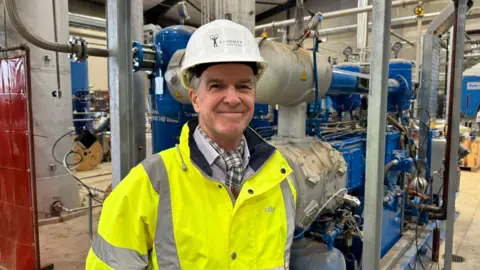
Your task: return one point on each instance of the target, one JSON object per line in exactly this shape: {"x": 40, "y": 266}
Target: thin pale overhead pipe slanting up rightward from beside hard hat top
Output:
{"x": 339, "y": 13}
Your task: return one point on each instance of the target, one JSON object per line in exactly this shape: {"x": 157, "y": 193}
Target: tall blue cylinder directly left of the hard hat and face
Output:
{"x": 168, "y": 115}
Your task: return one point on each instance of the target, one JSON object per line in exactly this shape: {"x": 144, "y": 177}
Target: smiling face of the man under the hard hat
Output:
{"x": 225, "y": 100}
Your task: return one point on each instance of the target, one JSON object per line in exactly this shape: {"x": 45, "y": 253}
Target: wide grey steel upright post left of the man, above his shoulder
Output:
{"x": 127, "y": 99}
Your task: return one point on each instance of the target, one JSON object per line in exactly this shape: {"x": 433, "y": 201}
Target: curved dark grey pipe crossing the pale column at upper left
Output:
{"x": 12, "y": 11}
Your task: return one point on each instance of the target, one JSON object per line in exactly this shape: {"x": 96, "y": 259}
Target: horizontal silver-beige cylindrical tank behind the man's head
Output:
{"x": 287, "y": 81}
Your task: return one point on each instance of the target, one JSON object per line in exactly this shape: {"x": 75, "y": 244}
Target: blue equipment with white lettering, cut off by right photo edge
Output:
{"x": 470, "y": 96}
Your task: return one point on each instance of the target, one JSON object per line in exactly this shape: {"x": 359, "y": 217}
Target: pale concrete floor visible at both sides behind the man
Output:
{"x": 66, "y": 244}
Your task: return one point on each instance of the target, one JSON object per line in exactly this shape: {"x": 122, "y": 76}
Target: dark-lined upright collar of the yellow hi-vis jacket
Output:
{"x": 260, "y": 150}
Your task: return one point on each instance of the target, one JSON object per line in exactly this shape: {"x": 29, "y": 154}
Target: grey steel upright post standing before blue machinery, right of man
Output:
{"x": 377, "y": 100}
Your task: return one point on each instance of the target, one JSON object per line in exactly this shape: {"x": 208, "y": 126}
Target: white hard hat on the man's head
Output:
{"x": 220, "y": 41}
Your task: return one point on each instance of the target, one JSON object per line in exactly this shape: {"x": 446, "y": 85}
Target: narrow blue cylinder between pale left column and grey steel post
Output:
{"x": 80, "y": 96}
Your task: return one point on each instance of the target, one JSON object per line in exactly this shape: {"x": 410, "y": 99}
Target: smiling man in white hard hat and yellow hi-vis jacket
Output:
{"x": 221, "y": 198}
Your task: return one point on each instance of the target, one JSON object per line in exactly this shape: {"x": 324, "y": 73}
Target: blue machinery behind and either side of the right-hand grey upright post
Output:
{"x": 349, "y": 137}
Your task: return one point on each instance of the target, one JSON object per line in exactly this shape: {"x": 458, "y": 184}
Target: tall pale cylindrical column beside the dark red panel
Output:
{"x": 52, "y": 116}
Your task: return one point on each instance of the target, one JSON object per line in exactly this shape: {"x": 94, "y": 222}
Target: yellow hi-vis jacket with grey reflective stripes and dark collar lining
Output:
{"x": 169, "y": 213}
